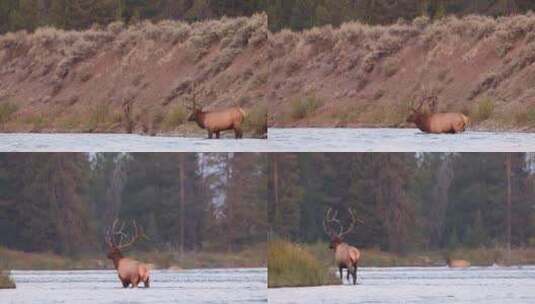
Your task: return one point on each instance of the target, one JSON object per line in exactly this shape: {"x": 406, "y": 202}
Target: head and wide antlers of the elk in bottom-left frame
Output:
{"x": 117, "y": 239}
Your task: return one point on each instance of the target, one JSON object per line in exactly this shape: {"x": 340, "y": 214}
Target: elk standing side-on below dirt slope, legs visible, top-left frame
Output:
{"x": 220, "y": 120}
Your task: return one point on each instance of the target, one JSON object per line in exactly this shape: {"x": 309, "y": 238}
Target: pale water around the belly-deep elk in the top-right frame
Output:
{"x": 396, "y": 140}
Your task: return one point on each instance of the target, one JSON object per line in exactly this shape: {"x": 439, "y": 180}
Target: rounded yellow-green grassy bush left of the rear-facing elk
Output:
{"x": 290, "y": 265}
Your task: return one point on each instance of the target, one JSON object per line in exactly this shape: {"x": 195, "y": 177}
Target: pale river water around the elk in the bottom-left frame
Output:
{"x": 102, "y": 286}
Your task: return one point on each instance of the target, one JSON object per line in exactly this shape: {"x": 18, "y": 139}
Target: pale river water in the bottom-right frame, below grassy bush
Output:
{"x": 485, "y": 285}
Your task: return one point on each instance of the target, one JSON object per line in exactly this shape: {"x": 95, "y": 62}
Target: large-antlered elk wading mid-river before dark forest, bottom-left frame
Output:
{"x": 130, "y": 271}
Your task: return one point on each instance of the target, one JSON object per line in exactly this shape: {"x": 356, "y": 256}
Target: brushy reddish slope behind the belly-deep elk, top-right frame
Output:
{"x": 362, "y": 75}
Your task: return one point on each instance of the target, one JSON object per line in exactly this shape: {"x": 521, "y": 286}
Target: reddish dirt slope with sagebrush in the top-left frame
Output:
{"x": 66, "y": 81}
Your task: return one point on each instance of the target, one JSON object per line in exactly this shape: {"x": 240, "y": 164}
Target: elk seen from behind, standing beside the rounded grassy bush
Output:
{"x": 345, "y": 256}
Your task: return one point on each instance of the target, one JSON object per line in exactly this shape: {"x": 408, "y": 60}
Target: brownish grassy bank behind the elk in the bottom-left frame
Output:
{"x": 247, "y": 258}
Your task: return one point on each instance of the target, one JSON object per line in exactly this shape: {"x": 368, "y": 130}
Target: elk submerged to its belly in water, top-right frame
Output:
{"x": 437, "y": 122}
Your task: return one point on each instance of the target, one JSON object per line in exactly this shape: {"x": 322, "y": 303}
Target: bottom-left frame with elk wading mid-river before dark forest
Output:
{"x": 174, "y": 228}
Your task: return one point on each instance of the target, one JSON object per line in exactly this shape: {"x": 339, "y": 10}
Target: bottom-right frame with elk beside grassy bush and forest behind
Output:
{"x": 401, "y": 228}
